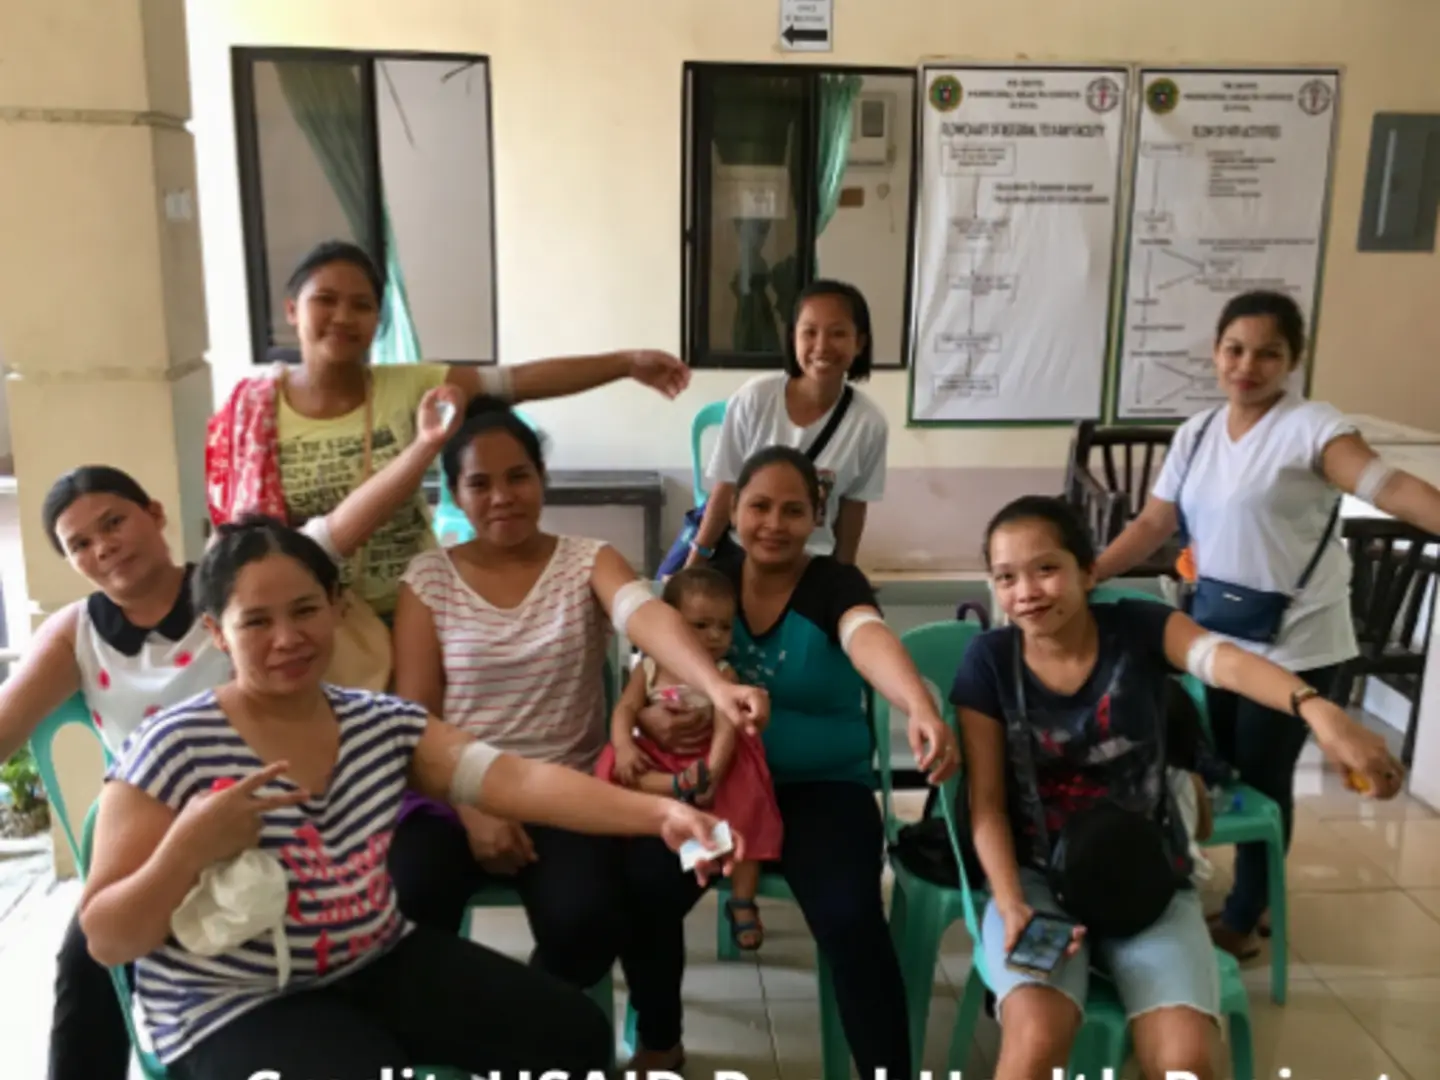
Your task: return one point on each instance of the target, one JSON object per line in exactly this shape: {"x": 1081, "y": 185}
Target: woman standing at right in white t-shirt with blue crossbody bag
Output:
{"x": 1256, "y": 486}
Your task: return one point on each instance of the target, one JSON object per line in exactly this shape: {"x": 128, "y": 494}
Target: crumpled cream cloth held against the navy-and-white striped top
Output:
{"x": 233, "y": 904}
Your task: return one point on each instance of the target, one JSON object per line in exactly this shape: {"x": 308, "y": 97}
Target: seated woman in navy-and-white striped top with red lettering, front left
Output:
{"x": 306, "y": 780}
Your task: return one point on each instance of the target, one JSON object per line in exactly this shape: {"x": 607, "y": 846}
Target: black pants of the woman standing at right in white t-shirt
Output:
{"x": 1264, "y": 747}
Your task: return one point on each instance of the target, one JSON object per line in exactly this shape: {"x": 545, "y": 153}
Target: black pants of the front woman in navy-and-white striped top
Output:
{"x": 433, "y": 1000}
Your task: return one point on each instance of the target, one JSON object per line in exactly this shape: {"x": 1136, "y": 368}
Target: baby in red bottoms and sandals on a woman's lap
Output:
{"x": 731, "y": 778}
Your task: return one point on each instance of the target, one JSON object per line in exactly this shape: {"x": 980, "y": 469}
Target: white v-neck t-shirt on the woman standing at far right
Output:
{"x": 1256, "y": 510}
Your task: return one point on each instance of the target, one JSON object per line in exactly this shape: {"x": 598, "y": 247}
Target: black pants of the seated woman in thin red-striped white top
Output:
{"x": 591, "y": 901}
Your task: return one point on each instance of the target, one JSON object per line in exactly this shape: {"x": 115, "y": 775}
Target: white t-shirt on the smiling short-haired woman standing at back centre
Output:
{"x": 853, "y": 464}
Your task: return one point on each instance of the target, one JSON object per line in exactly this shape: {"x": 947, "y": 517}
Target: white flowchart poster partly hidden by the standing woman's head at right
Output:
{"x": 1230, "y": 194}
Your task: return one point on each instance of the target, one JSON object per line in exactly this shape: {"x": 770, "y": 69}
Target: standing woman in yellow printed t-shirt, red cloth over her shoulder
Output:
{"x": 293, "y": 444}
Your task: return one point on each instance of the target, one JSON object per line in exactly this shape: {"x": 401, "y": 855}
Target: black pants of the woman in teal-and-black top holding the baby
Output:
{"x": 833, "y": 858}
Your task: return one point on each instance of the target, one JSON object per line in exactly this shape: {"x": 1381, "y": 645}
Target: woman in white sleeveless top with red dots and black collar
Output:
{"x": 135, "y": 647}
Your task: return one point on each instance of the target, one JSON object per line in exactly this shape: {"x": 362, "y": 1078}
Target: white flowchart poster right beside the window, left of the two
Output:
{"x": 1020, "y": 179}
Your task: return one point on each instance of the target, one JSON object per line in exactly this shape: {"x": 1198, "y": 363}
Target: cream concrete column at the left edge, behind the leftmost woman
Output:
{"x": 103, "y": 326}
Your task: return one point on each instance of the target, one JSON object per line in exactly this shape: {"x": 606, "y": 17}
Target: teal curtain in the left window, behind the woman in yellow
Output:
{"x": 326, "y": 102}
